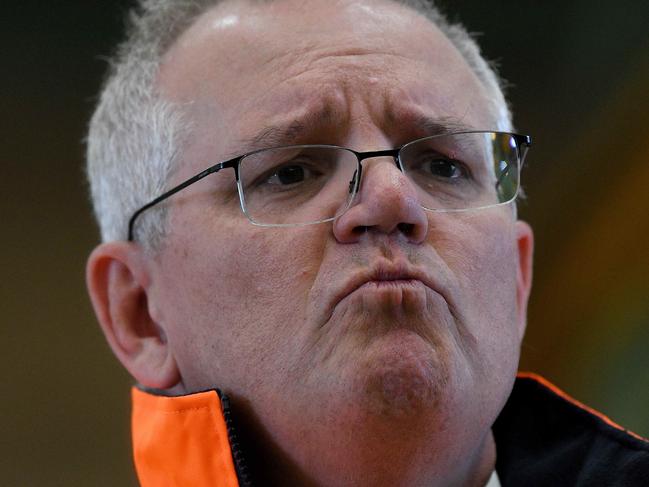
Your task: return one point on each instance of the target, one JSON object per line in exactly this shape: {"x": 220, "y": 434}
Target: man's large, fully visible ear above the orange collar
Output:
{"x": 118, "y": 283}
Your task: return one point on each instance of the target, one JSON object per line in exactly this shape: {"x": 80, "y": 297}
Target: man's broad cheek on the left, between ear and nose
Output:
{"x": 236, "y": 299}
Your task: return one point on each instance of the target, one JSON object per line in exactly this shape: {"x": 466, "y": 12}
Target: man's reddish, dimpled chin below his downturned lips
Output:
{"x": 396, "y": 360}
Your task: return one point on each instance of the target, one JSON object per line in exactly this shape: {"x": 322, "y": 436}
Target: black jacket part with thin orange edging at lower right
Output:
{"x": 545, "y": 438}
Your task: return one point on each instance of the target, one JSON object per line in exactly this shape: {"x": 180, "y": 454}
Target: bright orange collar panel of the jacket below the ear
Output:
{"x": 181, "y": 441}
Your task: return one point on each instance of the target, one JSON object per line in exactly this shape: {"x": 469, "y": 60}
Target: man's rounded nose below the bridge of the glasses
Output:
{"x": 386, "y": 202}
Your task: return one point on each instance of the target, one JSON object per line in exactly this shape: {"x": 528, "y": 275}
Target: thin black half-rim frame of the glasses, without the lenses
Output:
{"x": 523, "y": 143}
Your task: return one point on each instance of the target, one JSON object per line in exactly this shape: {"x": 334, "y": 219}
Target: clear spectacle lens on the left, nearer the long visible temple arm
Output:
{"x": 294, "y": 185}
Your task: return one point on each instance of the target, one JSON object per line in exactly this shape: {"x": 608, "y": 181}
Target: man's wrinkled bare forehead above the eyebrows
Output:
{"x": 368, "y": 62}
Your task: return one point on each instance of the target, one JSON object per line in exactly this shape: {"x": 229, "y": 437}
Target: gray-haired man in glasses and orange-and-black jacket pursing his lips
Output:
{"x": 309, "y": 205}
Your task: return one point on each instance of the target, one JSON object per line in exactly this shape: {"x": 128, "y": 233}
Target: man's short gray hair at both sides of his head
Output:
{"x": 134, "y": 135}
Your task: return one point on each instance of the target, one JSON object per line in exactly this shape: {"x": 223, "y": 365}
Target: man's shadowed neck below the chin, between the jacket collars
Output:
{"x": 376, "y": 459}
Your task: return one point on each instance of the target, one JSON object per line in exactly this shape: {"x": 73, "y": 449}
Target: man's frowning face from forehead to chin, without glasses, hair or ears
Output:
{"x": 390, "y": 310}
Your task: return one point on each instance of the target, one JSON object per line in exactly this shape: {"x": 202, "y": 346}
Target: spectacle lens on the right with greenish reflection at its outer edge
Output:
{"x": 463, "y": 171}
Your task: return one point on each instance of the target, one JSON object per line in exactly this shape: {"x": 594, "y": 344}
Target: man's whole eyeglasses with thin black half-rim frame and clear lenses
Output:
{"x": 307, "y": 184}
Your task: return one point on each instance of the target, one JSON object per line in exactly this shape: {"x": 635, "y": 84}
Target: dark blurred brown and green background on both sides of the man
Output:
{"x": 579, "y": 76}
